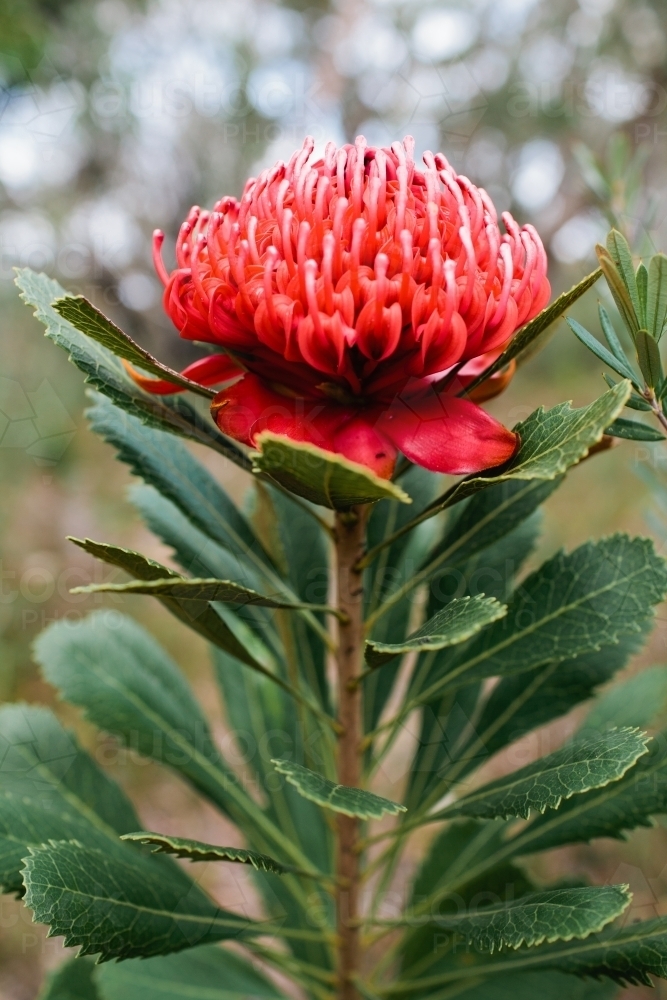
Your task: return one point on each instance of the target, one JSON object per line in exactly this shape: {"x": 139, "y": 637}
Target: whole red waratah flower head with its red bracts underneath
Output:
{"x": 356, "y": 295}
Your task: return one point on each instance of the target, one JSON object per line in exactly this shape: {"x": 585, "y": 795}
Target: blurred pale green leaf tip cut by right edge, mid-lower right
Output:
{"x": 634, "y": 702}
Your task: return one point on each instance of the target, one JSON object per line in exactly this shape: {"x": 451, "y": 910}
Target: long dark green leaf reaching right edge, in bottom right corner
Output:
{"x": 627, "y": 956}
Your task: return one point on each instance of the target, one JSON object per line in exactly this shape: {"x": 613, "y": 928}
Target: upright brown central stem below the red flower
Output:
{"x": 350, "y": 535}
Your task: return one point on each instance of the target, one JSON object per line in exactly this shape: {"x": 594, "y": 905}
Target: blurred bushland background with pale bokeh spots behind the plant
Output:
{"x": 117, "y": 116}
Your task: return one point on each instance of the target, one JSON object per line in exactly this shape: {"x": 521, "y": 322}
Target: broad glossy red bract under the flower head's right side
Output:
{"x": 446, "y": 434}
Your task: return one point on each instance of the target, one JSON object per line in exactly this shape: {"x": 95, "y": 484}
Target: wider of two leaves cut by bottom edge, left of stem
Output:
{"x": 207, "y": 973}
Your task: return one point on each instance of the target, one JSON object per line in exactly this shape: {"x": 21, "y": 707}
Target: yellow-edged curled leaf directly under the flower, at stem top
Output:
{"x": 320, "y": 476}
